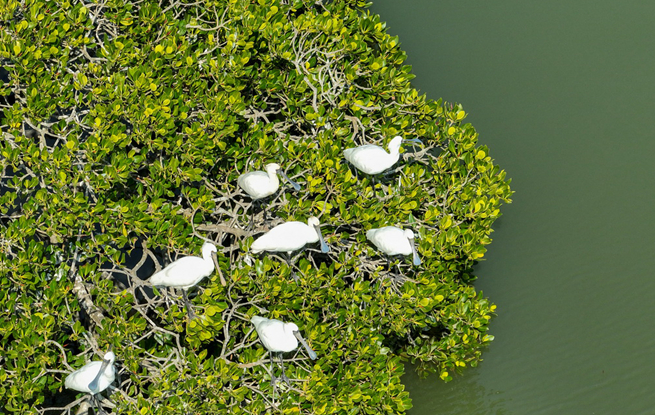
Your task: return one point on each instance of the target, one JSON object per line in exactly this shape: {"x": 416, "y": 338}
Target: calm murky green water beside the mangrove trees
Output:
{"x": 563, "y": 93}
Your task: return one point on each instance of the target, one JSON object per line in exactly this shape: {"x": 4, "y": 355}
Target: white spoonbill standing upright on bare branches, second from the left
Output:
{"x": 188, "y": 271}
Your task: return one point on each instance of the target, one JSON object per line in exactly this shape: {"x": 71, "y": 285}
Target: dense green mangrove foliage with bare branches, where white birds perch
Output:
{"x": 125, "y": 126}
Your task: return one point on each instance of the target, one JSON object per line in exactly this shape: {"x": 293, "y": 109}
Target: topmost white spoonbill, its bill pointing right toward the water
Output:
{"x": 373, "y": 159}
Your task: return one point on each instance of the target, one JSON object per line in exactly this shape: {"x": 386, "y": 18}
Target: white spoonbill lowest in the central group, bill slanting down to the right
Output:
{"x": 279, "y": 337}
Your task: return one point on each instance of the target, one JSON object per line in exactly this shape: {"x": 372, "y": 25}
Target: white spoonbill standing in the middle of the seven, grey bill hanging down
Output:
{"x": 290, "y": 236}
